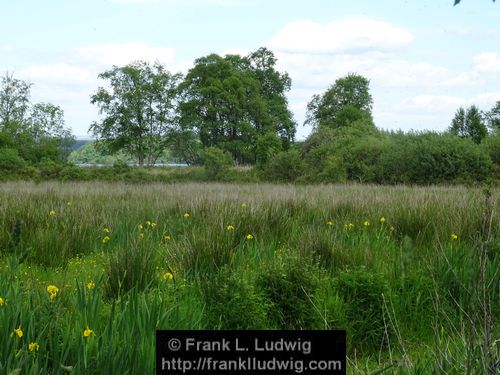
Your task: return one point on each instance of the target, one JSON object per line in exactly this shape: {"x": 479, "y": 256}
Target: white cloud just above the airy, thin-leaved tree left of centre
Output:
{"x": 124, "y": 53}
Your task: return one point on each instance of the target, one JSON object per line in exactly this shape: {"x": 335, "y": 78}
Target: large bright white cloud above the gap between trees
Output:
{"x": 352, "y": 34}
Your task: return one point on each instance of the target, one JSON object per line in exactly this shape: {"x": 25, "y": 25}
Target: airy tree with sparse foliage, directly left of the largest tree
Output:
{"x": 139, "y": 108}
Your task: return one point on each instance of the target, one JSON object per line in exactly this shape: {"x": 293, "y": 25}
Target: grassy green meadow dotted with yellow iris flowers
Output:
{"x": 89, "y": 271}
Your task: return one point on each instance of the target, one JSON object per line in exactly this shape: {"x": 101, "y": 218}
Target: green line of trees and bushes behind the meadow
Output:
{"x": 232, "y": 111}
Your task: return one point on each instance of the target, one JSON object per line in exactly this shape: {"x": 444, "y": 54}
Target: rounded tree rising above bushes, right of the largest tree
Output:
{"x": 346, "y": 101}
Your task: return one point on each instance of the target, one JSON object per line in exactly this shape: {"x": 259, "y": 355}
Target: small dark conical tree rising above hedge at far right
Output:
{"x": 468, "y": 124}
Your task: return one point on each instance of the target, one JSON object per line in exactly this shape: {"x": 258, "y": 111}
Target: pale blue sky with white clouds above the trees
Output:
{"x": 424, "y": 58}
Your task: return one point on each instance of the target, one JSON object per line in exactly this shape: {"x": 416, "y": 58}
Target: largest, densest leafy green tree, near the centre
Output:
{"x": 229, "y": 101}
